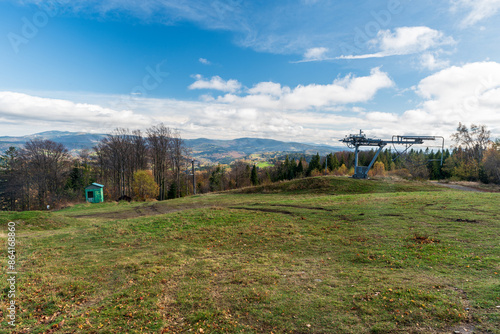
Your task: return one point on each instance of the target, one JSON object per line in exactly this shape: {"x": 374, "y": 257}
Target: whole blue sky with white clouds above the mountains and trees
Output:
{"x": 304, "y": 70}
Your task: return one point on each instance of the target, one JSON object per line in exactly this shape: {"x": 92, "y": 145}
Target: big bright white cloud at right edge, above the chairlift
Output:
{"x": 468, "y": 94}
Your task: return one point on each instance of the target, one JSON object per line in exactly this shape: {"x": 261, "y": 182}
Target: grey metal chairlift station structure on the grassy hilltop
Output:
{"x": 357, "y": 140}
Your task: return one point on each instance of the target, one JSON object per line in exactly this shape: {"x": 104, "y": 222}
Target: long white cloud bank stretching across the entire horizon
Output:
{"x": 467, "y": 94}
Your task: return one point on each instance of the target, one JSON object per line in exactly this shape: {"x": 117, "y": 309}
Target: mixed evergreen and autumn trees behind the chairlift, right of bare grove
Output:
{"x": 474, "y": 157}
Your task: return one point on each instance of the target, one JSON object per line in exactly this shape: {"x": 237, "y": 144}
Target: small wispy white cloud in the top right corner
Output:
{"x": 478, "y": 10}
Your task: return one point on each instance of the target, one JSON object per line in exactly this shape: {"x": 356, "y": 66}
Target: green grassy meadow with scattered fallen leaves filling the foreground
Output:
{"x": 318, "y": 255}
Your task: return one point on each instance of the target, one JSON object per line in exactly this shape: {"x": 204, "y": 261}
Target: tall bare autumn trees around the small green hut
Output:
{"x": 128, "y": 163}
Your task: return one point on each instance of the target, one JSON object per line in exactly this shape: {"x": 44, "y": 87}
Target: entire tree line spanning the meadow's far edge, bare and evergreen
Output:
{"x": 153, "y": 164}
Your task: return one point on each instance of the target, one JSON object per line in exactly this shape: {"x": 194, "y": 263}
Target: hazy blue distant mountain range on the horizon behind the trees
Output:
{"x": 203, "y": 149}
